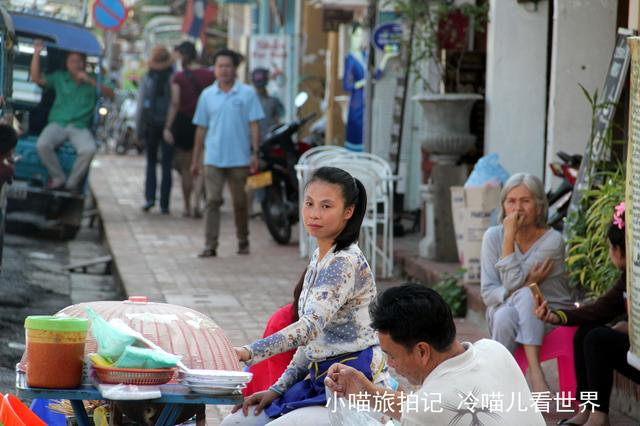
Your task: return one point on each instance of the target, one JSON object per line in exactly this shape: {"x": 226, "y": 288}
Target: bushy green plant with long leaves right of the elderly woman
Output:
{"x": 590, "y": 269}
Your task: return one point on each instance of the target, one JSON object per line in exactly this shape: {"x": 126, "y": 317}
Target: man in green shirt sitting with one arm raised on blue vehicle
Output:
{"x": 70, "y": 117}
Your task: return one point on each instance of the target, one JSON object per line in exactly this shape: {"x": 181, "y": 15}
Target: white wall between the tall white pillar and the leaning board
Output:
{"x": 584, "y": 33}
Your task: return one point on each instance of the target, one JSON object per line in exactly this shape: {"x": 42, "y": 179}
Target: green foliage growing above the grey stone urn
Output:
{"x": 429, "y": 24}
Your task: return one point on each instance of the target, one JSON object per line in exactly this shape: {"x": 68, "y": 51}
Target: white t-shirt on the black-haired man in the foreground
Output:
{"x": 484, "y": 382}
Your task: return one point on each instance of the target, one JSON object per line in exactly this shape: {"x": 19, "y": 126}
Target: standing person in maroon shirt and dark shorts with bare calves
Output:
{"x": 186, "y": 87}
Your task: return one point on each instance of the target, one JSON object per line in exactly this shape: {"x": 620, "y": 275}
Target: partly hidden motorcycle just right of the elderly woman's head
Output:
{"x": 560, "y": 197}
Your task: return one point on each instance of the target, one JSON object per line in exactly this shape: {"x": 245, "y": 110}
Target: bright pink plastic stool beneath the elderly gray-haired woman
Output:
{"x": 557, "y": 344}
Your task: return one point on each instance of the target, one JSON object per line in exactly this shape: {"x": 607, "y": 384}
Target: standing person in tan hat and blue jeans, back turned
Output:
{"x": 153, "y": 105}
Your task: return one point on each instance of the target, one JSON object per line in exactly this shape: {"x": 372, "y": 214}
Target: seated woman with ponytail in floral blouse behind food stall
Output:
{"x": 334, "y": 322}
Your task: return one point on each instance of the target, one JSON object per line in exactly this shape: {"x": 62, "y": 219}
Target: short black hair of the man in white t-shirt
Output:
{"x": 413, "y": 313}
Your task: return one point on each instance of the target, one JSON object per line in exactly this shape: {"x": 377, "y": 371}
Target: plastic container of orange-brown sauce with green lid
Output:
{"x": 55, "y": 351}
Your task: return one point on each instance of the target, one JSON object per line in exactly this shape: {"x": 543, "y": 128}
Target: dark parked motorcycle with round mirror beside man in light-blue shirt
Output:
{"x": 279, "y": 155}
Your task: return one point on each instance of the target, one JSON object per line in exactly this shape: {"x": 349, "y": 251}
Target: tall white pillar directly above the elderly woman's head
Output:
{"x": 516, "y": 84}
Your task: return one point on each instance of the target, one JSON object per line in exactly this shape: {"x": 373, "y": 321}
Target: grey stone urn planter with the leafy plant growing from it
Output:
{"x": 435, "y": 27}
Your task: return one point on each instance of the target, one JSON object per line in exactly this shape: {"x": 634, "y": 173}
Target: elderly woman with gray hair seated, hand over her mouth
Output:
{"x": 520, "y": 251}
